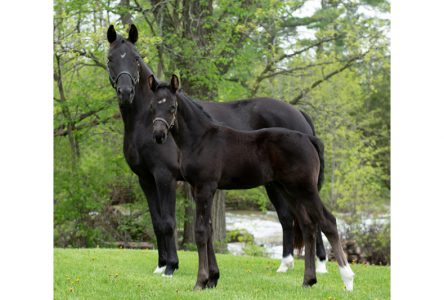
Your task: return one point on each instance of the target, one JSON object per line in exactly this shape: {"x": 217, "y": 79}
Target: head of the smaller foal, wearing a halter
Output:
{"x": 164, "y": 107}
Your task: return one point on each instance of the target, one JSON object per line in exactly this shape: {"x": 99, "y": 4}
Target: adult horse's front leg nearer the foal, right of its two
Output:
{"x": 166, "y": 188}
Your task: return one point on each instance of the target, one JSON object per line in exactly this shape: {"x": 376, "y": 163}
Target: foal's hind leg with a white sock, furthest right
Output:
{"x": 329, "y": 227}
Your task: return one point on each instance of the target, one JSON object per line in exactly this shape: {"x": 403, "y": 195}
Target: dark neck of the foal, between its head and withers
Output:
{"x": 192, "y": 125}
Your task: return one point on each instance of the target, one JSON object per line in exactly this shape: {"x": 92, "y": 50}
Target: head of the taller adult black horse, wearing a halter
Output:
{"x": 123, "y": 64}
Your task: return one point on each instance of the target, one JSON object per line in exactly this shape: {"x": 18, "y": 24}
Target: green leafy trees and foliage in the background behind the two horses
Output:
{"x": 333, "y": 63}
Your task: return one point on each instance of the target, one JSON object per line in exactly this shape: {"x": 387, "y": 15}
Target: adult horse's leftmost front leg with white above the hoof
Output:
{"x": 149, "y": 188}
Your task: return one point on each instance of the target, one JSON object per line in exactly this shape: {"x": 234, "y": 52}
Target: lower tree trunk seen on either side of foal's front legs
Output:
{"x": 217, "y": 220}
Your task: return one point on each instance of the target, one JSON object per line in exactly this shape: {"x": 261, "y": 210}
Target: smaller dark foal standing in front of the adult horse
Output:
{"x": 213, "y": 157}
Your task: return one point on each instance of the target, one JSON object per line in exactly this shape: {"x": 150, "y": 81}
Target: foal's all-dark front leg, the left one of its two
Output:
{"x": 203, "y": 195}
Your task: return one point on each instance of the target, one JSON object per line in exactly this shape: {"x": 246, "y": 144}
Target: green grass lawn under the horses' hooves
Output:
{"x": 128, "y": 274}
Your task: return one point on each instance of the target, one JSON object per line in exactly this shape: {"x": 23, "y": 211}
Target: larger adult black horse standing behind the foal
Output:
{"x": 156, "y": 166}
